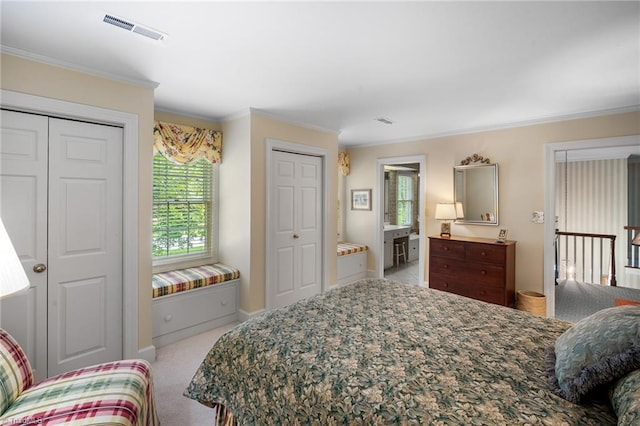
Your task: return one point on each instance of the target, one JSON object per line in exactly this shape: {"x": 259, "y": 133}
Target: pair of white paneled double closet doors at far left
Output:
{"x": 61, "y": 201}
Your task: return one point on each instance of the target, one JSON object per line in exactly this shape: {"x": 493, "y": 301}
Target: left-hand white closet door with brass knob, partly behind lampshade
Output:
{"x": 23, "y": 207}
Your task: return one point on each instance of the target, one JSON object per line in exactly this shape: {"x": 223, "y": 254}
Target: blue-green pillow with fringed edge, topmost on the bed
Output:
{"x": 595, "y": 351}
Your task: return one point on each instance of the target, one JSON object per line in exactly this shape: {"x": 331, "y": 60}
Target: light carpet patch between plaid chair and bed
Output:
{"x": 174, "y": 367}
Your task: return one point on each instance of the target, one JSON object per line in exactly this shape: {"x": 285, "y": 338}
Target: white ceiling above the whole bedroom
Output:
{"x": 432, "y": 68}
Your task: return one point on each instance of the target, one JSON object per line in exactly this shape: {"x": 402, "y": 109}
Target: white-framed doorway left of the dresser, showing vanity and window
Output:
{"x": 400, "y": 213}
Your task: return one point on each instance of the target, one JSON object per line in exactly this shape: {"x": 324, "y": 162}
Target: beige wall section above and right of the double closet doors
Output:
{"x": 34, "y": 78}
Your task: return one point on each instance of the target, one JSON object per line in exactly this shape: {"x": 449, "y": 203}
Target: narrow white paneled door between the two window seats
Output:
{"x": 296, "y": 226}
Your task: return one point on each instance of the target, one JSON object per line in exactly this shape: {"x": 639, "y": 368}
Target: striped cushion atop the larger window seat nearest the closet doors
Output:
{"x": 190, "y": 278}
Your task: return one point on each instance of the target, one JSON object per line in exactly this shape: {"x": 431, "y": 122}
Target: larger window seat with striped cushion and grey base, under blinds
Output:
{"x": 190, "y": 301}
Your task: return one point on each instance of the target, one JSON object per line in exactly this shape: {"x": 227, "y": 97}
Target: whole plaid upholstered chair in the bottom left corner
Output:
{"x": 114, "y": 393}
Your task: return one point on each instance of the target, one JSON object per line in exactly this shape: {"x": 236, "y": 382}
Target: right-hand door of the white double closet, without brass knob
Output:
{"x": 85, "y": 245}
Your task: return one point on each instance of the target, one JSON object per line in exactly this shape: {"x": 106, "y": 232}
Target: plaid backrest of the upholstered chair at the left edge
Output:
{"x": 15, "y": 371}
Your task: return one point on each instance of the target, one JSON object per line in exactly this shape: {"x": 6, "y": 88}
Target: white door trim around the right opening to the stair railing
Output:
{"x": 552, "y": 152}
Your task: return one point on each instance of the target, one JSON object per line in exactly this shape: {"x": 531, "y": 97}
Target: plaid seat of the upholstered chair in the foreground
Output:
{"x": 114, "y": 393}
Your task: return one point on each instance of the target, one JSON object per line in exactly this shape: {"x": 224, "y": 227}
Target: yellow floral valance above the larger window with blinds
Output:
{"x": 184, "y": 144}
